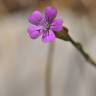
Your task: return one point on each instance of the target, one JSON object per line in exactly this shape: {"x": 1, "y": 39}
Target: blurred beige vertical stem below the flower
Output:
{"x": 49, "y": 70}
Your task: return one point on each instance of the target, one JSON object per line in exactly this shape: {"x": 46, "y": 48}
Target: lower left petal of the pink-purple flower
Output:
{"x": 34, "y": 31}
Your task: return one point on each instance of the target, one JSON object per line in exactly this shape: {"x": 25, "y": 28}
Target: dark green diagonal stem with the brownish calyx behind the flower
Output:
{"x": 66, "y": 37}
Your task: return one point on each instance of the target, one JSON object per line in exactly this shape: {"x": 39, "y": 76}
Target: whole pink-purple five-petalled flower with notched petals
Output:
{"x": 44, "y": 26}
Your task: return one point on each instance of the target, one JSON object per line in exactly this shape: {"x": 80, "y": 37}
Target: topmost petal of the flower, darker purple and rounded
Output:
{"x": 50, "y": 13}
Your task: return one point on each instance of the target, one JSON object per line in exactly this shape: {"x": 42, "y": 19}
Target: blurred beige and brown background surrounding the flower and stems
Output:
{"x": 23, "y": 61}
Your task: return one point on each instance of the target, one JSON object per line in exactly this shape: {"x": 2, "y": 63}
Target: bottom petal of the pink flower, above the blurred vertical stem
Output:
{"x": 48, "y": 37}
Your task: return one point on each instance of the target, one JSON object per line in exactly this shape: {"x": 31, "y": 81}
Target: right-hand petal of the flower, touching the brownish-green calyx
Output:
{"x": 57, "y": 25}
